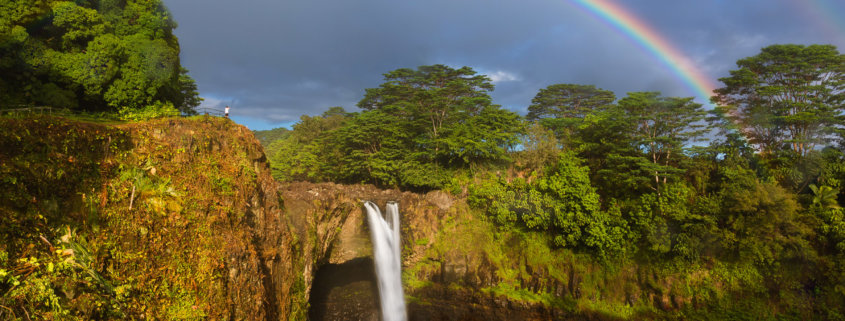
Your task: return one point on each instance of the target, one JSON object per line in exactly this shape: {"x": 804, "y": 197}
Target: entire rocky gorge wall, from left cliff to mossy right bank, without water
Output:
{"x": 180, "y": 219}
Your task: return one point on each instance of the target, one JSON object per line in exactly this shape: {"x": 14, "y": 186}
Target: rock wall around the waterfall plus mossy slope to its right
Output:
{"x": 459, "y": 266}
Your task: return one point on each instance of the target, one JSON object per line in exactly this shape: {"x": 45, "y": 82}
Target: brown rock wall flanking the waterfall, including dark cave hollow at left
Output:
{"x": 332, "y": 220}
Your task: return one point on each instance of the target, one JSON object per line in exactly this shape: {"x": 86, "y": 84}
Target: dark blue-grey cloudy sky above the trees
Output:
{"x": 275, "y": 60}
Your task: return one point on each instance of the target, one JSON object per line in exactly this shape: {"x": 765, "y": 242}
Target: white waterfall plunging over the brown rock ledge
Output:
{"x": 385, "y": 236}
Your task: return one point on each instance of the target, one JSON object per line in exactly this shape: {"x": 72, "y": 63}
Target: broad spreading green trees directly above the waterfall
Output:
{"x": 416, "y": 130}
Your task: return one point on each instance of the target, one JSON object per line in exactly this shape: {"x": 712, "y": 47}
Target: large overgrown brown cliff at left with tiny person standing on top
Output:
{"x": 169, "y": 219}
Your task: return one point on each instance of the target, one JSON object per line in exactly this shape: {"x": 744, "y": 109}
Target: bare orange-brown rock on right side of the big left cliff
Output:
{"x": 249, "y": 227}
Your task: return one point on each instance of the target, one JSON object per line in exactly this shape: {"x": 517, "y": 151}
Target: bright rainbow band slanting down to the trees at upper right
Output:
{"x": 645, "y": 36}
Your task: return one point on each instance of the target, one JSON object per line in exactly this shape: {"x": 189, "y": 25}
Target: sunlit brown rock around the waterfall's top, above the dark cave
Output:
{"x": 332, "y": 220}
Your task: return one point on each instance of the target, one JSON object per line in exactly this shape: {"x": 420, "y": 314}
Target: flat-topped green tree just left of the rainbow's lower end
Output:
{"x": 637, "y": 144}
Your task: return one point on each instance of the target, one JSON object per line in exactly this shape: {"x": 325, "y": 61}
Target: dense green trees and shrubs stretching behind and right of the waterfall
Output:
{"x": 666, "y": 216}
